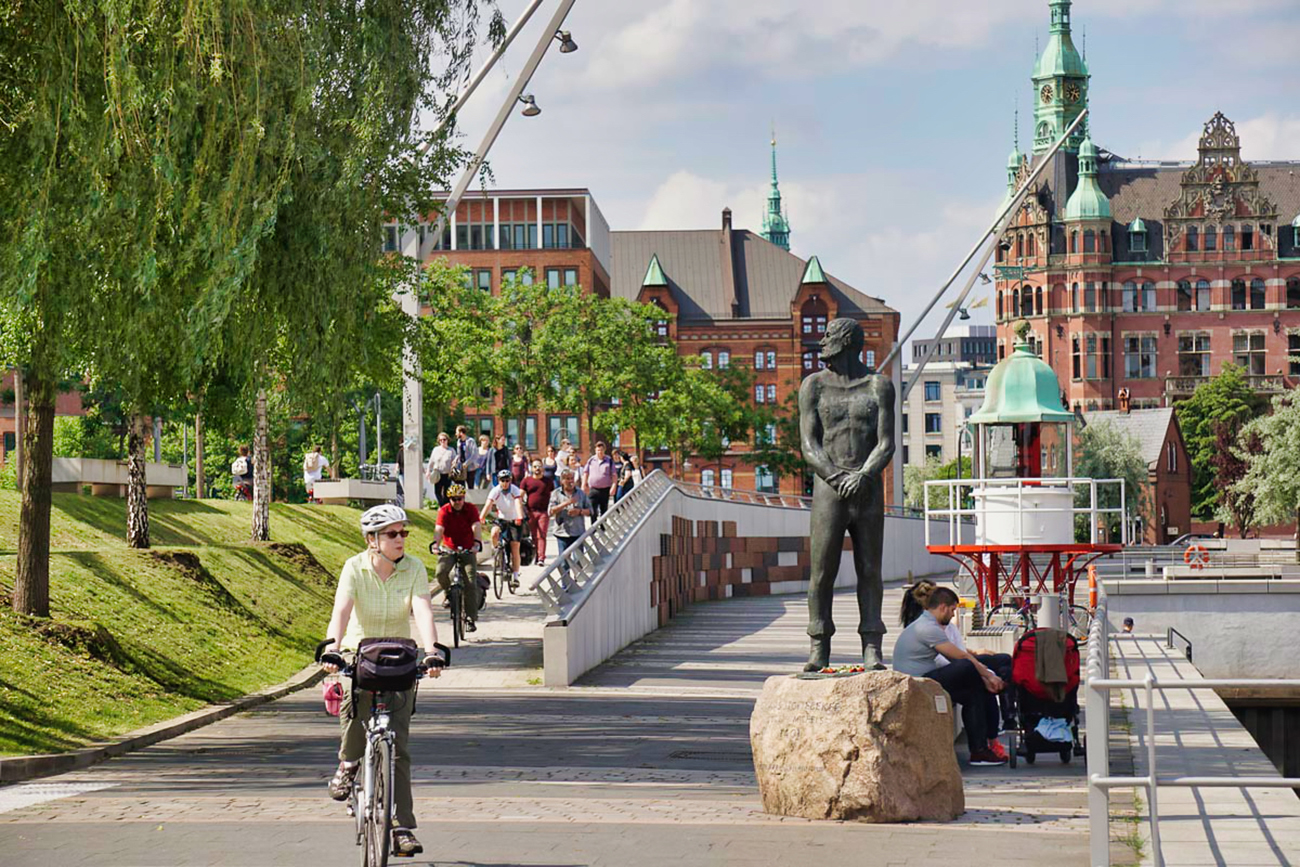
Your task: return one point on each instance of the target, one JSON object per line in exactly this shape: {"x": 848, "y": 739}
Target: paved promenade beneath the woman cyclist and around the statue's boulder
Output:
{"x": 645, "y": 762}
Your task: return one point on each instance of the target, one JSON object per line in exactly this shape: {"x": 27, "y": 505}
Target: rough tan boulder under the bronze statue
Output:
{"x": 876, "y": 747}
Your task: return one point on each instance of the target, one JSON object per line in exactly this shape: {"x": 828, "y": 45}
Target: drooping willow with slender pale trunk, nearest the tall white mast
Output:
{"x": 322, "y": 296}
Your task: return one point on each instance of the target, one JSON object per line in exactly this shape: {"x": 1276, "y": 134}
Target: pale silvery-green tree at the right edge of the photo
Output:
{"x": 1271, "y": 476}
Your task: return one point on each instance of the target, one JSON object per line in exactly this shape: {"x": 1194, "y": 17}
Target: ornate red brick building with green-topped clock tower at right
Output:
{"x": 1149, "y": 276}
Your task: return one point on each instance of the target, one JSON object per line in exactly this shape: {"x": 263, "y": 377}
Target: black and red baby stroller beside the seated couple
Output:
{"x": 1032, "y": 703}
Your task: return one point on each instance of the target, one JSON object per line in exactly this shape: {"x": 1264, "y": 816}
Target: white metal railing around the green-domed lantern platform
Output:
{"x": 956, "y": 513}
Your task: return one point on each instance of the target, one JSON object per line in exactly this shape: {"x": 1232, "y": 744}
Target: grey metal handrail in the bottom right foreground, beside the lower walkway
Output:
{"x": 1098, "y": 727}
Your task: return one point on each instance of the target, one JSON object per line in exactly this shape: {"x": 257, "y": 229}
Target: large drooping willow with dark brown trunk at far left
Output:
{"x": 144, "y": 157}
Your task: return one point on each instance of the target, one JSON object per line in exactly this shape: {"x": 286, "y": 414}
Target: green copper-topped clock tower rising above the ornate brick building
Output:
{"x": 1060, "y": 86}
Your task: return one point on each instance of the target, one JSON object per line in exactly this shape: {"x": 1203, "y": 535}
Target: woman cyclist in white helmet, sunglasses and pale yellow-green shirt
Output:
{"x": 379, "y": 591}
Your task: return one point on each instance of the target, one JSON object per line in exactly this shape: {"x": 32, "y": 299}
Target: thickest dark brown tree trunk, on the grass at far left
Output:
{"x": 32, "y": 579}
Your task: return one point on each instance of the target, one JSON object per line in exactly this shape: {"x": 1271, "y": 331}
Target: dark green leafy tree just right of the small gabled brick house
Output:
{"x": 1225, "y": 400}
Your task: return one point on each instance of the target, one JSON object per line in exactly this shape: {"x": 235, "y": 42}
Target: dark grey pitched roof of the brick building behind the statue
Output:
{"x": 766, "y": 278}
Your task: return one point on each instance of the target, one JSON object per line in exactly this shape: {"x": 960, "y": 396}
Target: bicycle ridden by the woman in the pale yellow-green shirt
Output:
{"x": 371, "y": 801}
